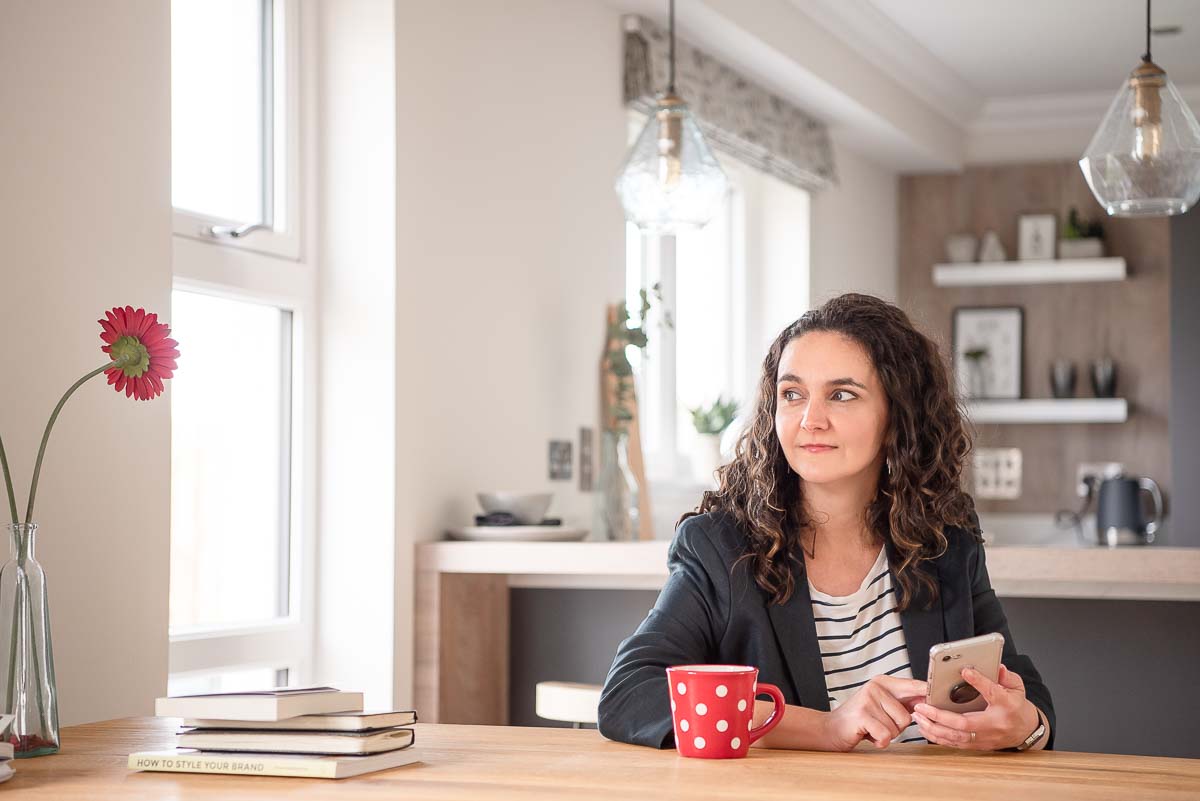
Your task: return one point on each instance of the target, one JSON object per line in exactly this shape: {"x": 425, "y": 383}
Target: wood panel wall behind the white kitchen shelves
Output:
{"x": 1126, "y": 321}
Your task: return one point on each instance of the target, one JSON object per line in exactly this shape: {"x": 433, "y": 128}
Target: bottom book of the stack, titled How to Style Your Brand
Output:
{"x": 259, "y": 764}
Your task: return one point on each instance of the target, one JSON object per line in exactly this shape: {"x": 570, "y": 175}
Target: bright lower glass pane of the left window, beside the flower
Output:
{"x": 231, "y": 468}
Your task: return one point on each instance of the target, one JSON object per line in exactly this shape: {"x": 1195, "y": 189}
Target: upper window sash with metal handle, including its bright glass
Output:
{"x": 233, "y": 117}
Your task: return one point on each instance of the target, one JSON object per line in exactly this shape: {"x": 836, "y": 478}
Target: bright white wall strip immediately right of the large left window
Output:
{"x": 357, "y": 219}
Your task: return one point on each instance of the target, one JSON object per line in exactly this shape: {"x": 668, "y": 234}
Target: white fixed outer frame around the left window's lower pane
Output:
{"x": 268, "y": 268}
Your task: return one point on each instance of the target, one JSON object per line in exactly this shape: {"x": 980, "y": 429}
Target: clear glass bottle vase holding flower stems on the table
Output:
{"x": 28, "y": 666}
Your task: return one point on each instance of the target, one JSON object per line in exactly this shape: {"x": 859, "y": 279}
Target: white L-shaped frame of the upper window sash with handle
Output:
{"x": 281, "y": 165}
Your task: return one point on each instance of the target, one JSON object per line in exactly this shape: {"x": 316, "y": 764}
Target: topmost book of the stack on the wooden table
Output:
{"x": 261, "y": 706}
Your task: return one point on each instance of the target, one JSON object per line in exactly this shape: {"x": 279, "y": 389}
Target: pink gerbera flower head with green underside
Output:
{"x": 142, "y": 350}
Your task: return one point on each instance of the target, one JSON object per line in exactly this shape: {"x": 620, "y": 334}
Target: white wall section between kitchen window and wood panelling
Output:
{"x": 855, "y": 237}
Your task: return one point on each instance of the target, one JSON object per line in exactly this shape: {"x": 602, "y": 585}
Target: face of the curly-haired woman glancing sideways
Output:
{"x": 827, "y": 394}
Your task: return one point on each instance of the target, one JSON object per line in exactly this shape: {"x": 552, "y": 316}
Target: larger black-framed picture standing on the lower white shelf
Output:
{"x": 988, "y": 351}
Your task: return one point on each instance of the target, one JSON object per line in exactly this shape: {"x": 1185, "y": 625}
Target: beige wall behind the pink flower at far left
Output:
{"x": 86, "y": 225}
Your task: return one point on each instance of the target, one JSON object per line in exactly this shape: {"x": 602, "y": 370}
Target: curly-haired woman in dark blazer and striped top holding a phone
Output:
{"x": 838, "y": 545}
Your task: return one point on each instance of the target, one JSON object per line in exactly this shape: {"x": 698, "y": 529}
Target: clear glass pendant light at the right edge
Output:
{"x": 1144, "y": 160}
